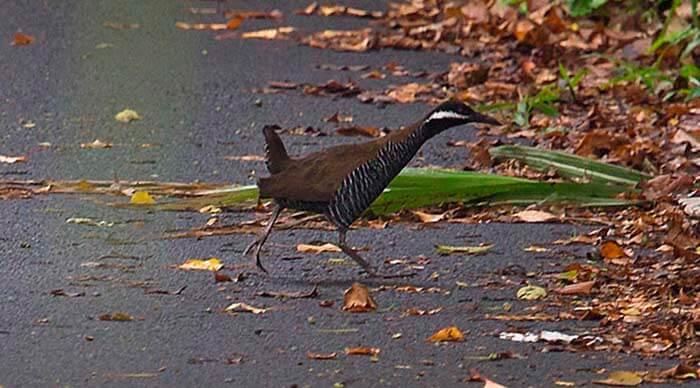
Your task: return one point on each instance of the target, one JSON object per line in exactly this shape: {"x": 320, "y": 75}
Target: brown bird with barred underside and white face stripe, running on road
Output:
{"x": 341, "y": 182}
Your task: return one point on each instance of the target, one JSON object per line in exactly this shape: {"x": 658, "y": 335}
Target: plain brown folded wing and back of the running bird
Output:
{"x": 316, "y": 177}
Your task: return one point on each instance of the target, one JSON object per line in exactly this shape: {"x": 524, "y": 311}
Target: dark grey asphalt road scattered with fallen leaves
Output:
{"x": 193, "y": 93}
